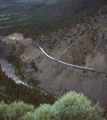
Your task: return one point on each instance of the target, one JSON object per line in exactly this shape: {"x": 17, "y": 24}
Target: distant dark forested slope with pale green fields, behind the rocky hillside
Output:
{"x": 35, "y": 18}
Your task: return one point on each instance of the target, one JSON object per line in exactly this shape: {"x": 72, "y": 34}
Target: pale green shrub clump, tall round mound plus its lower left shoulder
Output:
{"x": 71, "y": 106}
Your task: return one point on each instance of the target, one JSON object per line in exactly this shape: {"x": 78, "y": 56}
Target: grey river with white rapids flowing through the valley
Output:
{"x": 9, "y": 70}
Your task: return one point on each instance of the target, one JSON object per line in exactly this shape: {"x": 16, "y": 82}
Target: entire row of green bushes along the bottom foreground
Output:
{"x": 71, "y": 106}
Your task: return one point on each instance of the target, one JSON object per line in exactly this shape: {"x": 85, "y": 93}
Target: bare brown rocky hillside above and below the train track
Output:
{"x": 83, "y": 43}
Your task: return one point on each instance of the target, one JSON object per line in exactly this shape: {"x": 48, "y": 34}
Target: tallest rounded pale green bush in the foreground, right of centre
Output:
{"x": 73, "y": 106}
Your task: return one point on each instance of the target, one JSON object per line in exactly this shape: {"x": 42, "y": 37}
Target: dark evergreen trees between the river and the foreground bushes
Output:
{"x": 15, "y": 92}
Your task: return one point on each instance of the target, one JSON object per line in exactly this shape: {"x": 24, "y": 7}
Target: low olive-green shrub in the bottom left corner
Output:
{"x": 14, "y": 110}
